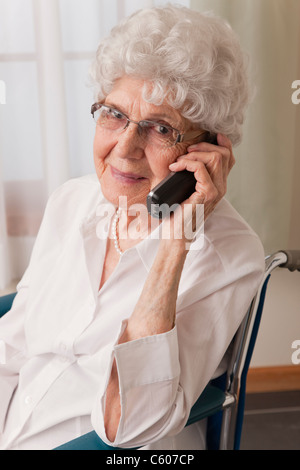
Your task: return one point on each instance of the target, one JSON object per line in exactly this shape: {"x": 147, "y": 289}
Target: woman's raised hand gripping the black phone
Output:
{"x": 211, "y": 165}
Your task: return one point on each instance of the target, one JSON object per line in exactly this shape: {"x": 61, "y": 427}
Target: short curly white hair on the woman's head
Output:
{"x": 193, "y": 60}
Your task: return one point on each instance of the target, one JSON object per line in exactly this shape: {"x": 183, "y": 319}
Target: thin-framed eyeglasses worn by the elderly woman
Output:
{"x": 155, "y": 133}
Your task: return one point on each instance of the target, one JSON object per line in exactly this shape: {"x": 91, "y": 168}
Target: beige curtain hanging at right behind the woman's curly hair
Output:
{"x": 264, "y": 185}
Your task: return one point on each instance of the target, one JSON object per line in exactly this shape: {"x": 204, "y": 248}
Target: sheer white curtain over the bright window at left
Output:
{"x": 46, "y": 131}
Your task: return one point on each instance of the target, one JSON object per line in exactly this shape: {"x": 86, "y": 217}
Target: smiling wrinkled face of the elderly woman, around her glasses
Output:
{"x": 125, "y": 164}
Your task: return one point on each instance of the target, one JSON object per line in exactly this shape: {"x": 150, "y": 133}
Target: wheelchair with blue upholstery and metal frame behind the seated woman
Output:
{"x": 223, "y": 400}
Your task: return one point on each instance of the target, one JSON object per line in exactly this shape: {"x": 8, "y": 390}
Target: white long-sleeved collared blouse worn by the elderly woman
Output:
{"x": 60, "y": 338}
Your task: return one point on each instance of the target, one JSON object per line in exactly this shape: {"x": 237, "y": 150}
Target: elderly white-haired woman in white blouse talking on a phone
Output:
{"x": 120, "y": 330}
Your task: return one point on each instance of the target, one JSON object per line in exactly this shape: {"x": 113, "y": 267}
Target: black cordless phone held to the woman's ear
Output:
{"x": 174, "y": 189}
